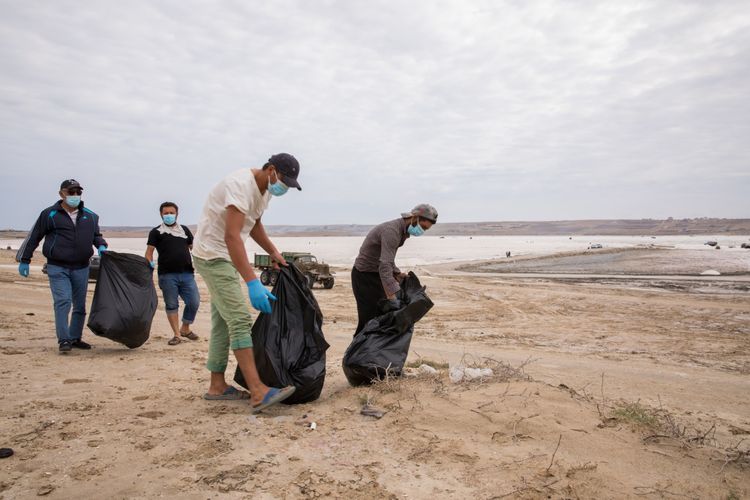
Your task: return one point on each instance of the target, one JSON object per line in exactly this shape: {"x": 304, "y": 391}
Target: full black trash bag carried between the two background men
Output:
{"x": 124, "y": 299}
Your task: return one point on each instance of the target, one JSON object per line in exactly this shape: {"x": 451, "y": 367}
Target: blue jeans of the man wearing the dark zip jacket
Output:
{"x": 68, "y": 288}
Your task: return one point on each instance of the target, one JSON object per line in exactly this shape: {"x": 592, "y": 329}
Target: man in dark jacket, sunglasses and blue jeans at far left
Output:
{"x": 69, "y": 231}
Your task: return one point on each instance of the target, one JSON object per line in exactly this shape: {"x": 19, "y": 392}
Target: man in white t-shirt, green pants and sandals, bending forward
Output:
{"x": 233, "y": 209}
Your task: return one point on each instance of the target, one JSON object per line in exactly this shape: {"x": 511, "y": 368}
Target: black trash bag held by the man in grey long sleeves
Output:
{"x": 383, "y": 344}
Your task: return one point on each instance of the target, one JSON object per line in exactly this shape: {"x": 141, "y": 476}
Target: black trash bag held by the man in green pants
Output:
{"x": 288, "y": 344}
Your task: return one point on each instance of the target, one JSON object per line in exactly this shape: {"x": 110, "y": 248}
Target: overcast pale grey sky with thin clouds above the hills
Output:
{"x": 489, "y": 110}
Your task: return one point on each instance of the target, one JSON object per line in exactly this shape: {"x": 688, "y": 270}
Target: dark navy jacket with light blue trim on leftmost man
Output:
{"x": 65, "y": 244}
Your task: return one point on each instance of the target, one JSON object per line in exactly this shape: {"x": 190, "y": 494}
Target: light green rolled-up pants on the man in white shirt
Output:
{"x": 230, "y": 317}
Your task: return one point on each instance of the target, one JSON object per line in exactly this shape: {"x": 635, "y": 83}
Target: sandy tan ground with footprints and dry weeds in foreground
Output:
{"x": 606, "y": 389}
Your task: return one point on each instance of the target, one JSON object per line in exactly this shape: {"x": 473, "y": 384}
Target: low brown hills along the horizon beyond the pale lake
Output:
{"x": 601, "y": 227}
